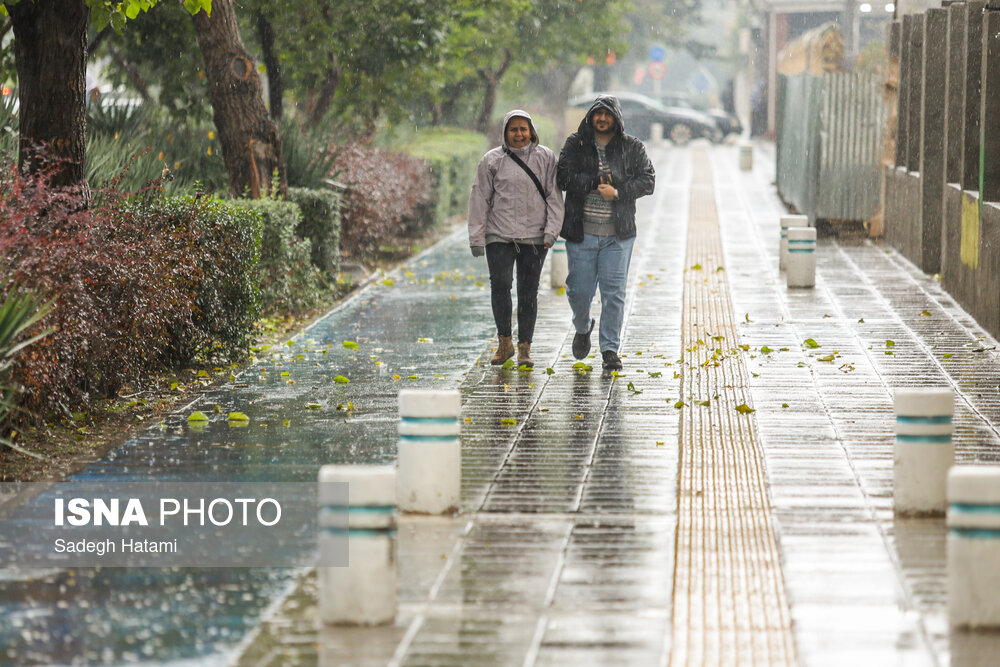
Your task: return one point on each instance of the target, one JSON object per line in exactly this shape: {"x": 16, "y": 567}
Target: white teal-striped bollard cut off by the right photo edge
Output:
{"x": 974, "y": 546}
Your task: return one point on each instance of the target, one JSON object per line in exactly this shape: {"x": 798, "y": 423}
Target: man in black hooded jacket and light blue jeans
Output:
{"x": 603, "y": 171}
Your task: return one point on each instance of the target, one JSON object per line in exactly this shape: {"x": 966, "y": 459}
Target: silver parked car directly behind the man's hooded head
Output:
{"x": 640, "y": 112}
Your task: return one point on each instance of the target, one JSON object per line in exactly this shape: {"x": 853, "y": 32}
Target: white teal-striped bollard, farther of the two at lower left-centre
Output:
{"x": 429, "y": 465}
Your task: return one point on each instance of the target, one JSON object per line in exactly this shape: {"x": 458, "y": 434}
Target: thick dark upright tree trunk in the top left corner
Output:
{"x": 50, "y": 51}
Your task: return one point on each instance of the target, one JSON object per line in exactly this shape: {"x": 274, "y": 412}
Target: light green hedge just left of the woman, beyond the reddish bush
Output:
{"x": 452, "y": 155}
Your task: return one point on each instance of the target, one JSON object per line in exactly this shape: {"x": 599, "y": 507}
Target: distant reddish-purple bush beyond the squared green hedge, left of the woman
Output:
{"x": 388, "y": 196}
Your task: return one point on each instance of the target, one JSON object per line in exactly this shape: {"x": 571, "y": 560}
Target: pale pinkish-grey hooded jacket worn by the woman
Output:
{"x": 505, "y": 204}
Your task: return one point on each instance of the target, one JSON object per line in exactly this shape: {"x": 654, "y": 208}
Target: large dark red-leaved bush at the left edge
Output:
{"x": 125, "y": 272}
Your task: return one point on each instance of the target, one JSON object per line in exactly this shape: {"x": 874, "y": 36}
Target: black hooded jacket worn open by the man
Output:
{"x": 631, "y": 173}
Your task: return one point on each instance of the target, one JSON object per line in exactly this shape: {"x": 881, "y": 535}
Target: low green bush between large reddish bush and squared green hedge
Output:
{"x": 288, "y": 280}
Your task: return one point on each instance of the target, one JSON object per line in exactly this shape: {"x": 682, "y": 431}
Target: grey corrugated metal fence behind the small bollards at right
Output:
{"x": 829, "y": 144}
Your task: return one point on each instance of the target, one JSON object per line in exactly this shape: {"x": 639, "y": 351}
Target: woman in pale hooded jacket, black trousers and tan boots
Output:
{"x": 514, "y": 219}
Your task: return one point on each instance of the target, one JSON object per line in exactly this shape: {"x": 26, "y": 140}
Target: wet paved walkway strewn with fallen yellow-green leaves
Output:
{"x": 634, "y": 520}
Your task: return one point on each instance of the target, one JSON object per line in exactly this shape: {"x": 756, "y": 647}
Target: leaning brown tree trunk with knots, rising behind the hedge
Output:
{"x": 251, "y": 145}
